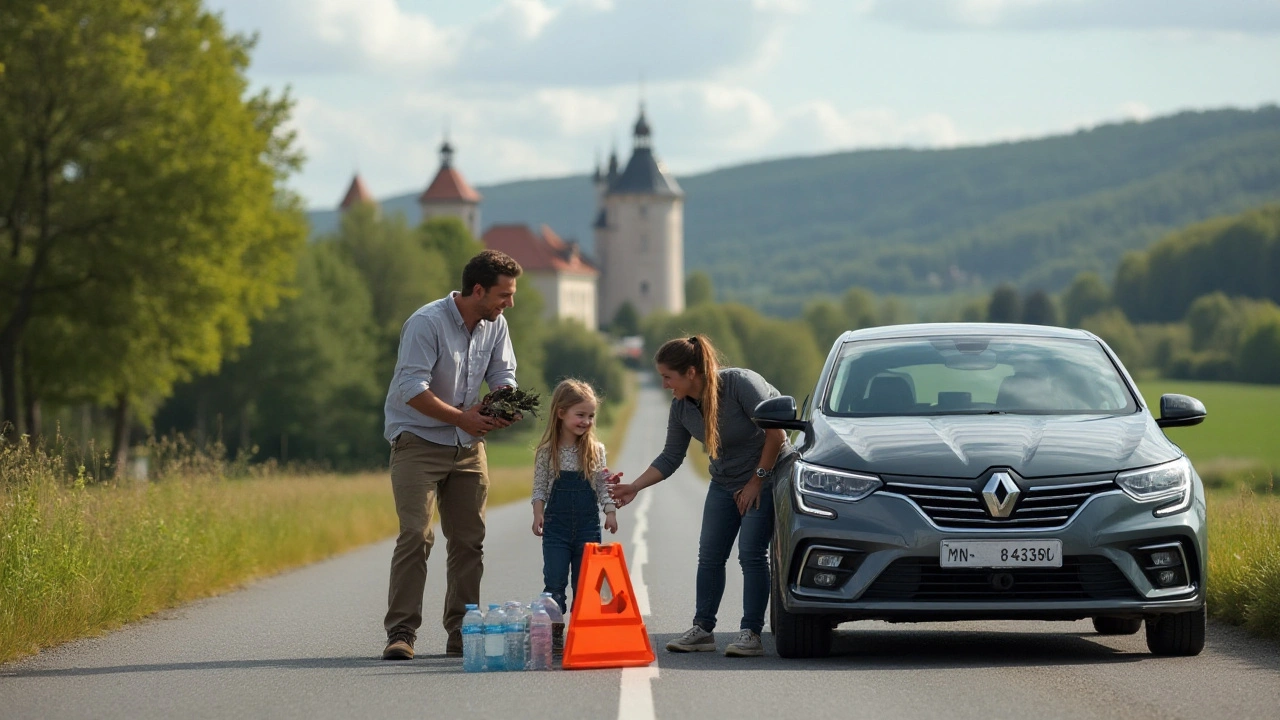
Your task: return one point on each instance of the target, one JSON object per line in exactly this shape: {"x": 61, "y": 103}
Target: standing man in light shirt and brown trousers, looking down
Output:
{"x": 437, "y": 432}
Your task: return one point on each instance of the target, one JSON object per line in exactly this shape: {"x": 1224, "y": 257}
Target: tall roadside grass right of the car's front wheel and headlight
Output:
{"x": 1245, "y": 560}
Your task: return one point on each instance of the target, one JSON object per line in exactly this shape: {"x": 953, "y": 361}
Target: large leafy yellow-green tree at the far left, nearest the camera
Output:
{"x": 141, "y": 186}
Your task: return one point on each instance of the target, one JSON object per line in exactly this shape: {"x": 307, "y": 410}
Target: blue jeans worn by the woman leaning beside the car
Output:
{"x": 721, "y": 526}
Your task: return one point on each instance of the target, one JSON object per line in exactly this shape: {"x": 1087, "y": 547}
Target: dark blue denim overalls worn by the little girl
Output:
{"x": 570, "y": 521}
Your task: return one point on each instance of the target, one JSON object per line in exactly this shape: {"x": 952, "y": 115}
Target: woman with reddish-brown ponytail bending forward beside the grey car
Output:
{"x": 715, "y": 405}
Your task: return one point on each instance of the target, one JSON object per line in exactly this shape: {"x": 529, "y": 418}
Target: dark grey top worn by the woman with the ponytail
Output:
{"x": 740, "y": 440}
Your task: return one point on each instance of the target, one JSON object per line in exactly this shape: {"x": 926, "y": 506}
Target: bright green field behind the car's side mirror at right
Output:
{"x": 1240, "y": 429}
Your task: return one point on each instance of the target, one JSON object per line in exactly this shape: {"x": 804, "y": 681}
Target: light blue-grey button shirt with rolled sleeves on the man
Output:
{"x": 437, "y": 353}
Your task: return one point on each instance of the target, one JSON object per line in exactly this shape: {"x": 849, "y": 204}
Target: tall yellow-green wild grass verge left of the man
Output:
{"x": 80, "y": 558}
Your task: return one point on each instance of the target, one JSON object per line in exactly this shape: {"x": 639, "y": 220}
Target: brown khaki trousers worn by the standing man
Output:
{"x": 456, "y": 480}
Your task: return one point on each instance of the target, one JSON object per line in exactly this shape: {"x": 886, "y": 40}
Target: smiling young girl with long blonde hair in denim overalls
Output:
{"x": 570, "y": 489}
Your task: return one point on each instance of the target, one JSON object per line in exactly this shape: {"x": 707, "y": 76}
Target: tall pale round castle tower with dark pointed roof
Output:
{"x": 641, "y": 234}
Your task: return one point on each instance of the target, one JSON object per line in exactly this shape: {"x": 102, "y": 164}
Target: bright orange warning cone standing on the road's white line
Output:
{"x": 606, "y": 635}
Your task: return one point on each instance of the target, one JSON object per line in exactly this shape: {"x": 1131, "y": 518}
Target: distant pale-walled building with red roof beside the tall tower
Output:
{"x": 566, "y": 280}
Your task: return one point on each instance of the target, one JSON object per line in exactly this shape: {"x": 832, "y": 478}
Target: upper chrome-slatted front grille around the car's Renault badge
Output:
{"x": 962, "y": 508}
